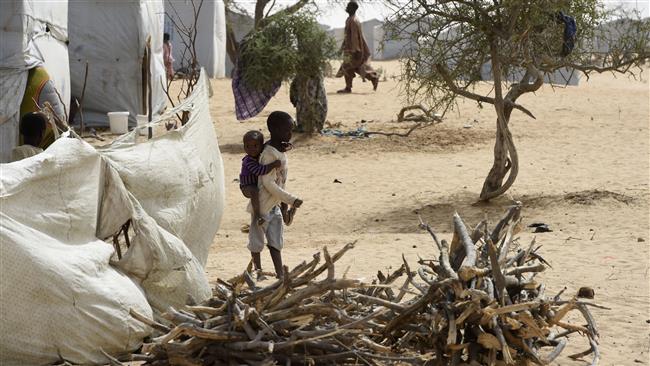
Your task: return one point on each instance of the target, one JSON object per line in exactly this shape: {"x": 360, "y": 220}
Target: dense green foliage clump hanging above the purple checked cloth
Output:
{"x": 287, "y": 46}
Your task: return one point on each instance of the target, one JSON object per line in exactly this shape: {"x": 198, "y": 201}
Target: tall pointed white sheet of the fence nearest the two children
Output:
{"x": 177, "y": 177}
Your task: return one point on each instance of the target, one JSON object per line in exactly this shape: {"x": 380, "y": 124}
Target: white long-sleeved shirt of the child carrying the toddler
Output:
{"x": 271, "y": 185}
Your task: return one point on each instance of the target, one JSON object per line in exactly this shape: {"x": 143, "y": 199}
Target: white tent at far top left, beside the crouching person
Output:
{"x": 32, "y": 33}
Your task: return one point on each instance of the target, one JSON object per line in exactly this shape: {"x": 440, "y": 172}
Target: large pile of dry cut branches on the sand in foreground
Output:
{"x": 477, "y": 303}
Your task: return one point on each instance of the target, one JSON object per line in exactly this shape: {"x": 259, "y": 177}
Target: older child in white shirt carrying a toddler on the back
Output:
{"x": 272, "y": 194}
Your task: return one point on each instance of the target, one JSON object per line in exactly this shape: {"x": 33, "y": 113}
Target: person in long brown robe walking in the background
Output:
{"x": 355, "y": 52}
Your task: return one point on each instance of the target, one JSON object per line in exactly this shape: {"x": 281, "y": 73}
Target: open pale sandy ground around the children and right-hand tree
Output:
{"x": 584, "y": 171}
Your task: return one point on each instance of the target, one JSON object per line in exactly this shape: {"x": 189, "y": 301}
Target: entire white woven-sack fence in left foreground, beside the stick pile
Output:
{"x": 64, "y": 294}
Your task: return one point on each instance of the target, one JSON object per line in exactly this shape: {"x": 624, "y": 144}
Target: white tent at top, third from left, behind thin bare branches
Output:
{"x": 211, "y": 33}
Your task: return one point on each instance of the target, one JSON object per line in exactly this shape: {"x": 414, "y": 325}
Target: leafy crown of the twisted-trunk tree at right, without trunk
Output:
{"x": 462, "y": 36}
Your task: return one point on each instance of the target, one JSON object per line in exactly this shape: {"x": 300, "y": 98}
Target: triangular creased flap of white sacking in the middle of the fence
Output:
{"x": 157, "y": 260}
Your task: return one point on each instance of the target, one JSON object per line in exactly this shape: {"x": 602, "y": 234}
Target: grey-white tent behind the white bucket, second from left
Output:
{"x": 112, "y": 37}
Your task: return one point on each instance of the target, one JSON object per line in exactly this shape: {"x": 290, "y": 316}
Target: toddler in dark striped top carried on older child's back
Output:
{"x": 251, "y": 169}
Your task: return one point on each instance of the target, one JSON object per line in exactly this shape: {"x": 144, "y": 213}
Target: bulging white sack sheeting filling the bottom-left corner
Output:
{"x": 60, "y": 298}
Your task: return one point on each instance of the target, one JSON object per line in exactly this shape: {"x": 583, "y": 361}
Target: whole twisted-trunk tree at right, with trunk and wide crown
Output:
{"x": 520, "y": 42}
